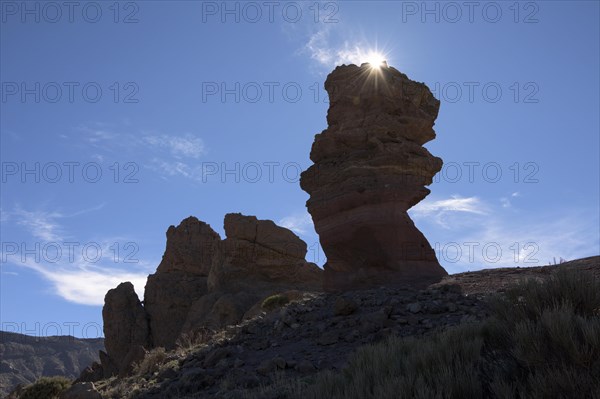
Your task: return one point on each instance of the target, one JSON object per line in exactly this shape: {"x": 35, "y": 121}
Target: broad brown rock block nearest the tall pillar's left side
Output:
{"x": 256, "y": 260}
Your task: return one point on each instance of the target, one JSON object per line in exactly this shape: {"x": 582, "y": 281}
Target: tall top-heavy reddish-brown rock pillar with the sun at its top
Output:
{"x": 370, "y": 168}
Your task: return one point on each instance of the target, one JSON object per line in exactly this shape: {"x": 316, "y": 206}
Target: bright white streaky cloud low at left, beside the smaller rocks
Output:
{"x": 72, "y": 276}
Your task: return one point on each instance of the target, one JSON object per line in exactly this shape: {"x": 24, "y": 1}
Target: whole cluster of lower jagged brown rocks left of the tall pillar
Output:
{"x": 203, "y": 282}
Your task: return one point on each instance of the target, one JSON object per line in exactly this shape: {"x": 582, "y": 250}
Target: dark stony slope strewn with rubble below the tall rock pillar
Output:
{"x": 318, "y": 331}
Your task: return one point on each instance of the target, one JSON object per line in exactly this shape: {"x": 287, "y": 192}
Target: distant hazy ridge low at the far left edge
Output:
{"x": 23, "y": 358}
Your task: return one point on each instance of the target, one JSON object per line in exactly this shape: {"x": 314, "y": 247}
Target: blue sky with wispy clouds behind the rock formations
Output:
{"x": 118, "y": 121}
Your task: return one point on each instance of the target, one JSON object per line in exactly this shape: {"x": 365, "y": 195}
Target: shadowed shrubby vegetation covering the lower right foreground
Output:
{"x": 543, "y": 340}
